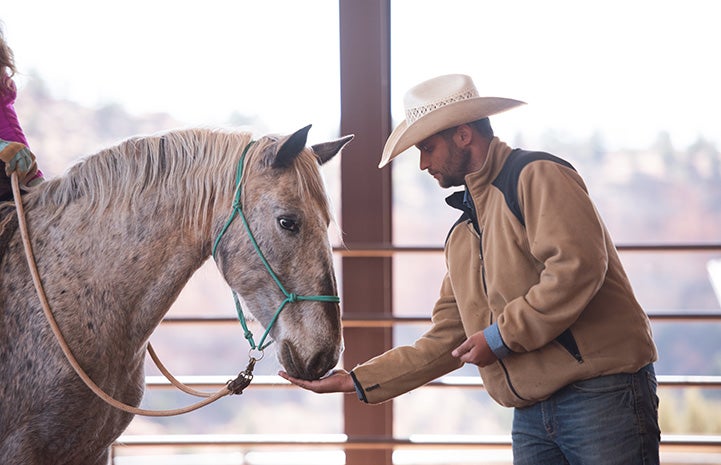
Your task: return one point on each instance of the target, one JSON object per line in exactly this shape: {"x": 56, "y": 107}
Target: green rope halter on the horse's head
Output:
{"x": 289, "y": 296}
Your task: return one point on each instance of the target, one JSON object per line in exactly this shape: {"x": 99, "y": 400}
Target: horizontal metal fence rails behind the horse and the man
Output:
{"x": 692, "y": 444}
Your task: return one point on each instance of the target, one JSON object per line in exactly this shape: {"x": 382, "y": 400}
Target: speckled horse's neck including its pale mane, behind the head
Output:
{"x": 135, "y": 220}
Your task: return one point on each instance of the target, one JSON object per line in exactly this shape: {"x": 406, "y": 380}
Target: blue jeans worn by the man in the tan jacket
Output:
{"x": 609, "y": 420}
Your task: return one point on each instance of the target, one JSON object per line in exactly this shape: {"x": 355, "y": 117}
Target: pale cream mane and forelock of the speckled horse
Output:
{"x": 187, "y": 168}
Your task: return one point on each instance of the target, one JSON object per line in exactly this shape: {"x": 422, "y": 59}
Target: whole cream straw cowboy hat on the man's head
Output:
{"x": 437, "y": 104}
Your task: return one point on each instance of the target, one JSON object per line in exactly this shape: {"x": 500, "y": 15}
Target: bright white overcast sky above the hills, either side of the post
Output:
{"x": 627, "y": 69}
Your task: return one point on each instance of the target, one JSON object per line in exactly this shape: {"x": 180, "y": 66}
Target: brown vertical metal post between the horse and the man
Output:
{"x": 366, "y": 204}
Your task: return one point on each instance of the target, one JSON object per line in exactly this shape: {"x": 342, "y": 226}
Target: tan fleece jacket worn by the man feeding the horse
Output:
{"x": 556, "y": 289}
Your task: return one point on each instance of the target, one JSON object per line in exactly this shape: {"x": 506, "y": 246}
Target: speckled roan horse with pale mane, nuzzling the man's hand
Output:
{"x": 115, "y": 239}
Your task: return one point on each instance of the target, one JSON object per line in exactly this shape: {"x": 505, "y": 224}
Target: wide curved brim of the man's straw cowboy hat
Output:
{"x": 405, "y": 136}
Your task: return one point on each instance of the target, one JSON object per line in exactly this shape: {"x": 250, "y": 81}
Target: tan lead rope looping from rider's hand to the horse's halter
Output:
{"x": 234, "y": 387}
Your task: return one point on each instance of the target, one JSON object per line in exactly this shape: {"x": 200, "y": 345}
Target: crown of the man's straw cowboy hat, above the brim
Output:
{"x": 437, "y": 93}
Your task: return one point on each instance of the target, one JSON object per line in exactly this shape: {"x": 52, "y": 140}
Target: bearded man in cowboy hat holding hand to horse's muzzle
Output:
{"x": 534, "y": 295}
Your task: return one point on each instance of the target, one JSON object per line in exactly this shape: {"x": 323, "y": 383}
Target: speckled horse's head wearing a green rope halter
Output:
{"x": 279, "y": 223}
